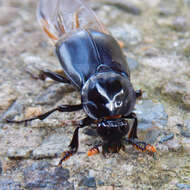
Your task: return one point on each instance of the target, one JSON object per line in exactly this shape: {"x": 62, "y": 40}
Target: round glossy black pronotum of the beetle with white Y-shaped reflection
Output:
{"x": 108, "y": 94}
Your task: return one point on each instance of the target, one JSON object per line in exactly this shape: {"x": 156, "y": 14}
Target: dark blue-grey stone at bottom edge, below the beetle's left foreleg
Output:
{"x": 42, "y": 175}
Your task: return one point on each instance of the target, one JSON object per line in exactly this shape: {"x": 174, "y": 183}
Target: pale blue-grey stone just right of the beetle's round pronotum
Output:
{"x": 151, "y": 115}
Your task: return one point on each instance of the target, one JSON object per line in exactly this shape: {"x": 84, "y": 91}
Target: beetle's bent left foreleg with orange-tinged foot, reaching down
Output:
{"x": 73, "y": 147}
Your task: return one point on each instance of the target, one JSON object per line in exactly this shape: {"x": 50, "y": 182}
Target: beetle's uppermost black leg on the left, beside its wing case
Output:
{"x": 54, "y": 76}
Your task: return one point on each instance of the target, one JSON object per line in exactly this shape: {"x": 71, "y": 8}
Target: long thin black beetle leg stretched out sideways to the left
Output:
{"x": 62, "y": 108}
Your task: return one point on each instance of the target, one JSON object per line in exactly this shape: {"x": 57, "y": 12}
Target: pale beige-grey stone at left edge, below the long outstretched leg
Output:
{"x": 21, "y": 142}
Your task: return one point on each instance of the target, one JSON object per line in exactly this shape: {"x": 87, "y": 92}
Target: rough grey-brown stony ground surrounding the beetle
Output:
{"x": 155, "y": 35}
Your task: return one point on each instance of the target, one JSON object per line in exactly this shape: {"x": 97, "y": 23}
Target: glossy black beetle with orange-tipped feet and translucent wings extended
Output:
{"x": 93, "y": 62}
